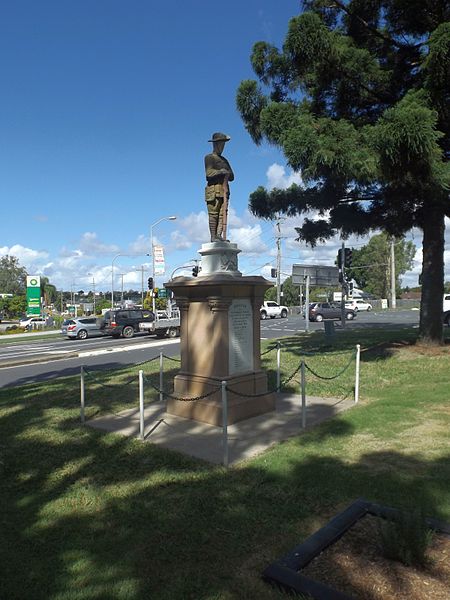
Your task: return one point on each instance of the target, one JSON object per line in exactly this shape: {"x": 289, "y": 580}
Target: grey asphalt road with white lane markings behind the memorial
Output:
{"x": 107, "y": 353}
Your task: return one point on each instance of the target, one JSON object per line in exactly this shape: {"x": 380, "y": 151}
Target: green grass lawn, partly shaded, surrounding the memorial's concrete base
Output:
{"x": 87, "y": 515}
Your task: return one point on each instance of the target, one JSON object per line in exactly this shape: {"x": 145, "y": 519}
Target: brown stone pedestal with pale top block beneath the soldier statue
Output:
{"x": 220, "y": 339}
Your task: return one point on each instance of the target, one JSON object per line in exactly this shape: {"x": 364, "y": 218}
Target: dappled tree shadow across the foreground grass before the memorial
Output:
{"x": 89, "y": 515}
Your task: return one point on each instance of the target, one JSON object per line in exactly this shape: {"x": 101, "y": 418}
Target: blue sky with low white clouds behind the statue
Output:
{"x": 105, "y": 112}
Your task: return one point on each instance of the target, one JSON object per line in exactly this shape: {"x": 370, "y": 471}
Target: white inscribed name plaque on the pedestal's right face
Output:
{"x": 240, "y": 331}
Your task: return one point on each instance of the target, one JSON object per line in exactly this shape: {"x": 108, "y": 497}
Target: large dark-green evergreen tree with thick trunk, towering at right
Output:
{"x": 358, "y": 100}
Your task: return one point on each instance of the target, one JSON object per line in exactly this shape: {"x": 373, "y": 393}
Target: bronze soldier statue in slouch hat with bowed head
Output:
{"x": 217, "y": 191}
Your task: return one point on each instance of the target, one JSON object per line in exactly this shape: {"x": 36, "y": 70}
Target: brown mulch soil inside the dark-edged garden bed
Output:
{"x": 355, "y": 565}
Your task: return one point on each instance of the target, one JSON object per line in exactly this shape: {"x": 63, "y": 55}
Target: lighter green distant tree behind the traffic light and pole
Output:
{"x": 371, "y": 264}
